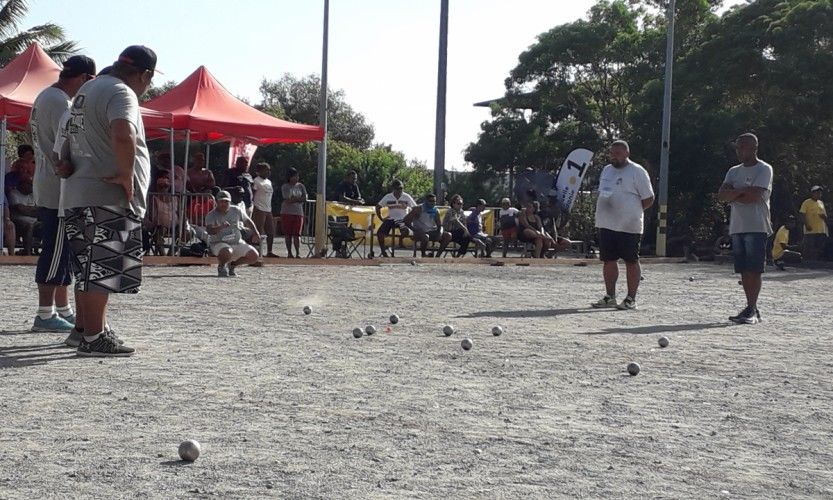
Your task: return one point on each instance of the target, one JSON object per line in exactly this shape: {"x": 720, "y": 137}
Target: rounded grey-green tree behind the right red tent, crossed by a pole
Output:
{"x": 297, "y": 99}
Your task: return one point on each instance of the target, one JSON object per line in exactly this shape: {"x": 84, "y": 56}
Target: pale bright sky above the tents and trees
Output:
{"x": 383, "y": 53}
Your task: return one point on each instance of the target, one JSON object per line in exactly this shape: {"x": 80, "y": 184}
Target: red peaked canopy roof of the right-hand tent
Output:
{"x": 202, "y": 106}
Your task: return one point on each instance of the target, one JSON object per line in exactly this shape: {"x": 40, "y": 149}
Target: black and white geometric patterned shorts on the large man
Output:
{"x": 106, "y": 249}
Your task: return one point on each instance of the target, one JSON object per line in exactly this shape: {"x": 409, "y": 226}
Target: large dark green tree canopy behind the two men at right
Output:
{"x": 764, "y": 67}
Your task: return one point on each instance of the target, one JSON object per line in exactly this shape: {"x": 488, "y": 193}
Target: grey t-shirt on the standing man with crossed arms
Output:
{"x": 750, "y": 217}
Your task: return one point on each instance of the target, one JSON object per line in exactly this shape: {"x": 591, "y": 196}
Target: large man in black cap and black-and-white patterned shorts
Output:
{"x": 106, "y": 194}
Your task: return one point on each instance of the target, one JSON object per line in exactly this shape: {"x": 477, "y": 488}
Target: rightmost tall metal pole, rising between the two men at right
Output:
{"x": 662, "y": 226}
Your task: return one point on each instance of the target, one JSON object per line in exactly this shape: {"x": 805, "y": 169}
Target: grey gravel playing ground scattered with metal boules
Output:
{"x": 290, "y": 405}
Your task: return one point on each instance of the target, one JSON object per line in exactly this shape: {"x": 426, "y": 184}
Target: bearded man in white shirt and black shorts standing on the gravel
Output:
{"x": 625, "y": 193}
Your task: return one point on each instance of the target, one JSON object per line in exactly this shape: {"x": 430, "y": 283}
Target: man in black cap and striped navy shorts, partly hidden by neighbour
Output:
{"x": 53, "y": 272}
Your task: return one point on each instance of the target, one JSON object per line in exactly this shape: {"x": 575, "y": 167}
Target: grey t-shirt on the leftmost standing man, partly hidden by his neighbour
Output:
{"x": 47, "y": 110}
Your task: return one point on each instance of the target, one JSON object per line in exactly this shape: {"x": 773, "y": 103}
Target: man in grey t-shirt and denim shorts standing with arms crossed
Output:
{"x": 747, "y": 188}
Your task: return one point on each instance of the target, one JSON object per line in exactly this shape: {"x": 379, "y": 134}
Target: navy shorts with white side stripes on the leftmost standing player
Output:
{"x": 53, "y": 263}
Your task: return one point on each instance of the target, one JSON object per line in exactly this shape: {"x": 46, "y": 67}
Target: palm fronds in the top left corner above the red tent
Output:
{"x": 13, "y": 41}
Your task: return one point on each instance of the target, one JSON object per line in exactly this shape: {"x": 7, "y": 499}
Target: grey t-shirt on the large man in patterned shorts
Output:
{"x": 98, "y": 103}
